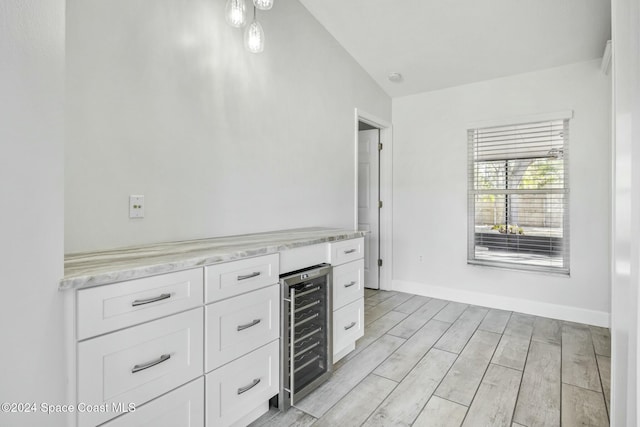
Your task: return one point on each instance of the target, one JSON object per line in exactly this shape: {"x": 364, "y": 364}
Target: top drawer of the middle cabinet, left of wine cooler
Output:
{"x": 237, "y": 277}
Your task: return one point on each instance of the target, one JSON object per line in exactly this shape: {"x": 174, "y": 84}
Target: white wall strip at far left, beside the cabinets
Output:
{"x": 31, "y": 197}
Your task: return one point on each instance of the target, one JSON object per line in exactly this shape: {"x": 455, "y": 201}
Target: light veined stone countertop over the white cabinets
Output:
{"x": 88, "y": 269}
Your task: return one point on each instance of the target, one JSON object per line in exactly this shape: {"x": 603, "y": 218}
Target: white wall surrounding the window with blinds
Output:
{"x": 430, "y": 192}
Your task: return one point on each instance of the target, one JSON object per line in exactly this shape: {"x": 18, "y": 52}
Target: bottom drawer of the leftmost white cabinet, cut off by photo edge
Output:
{"x": 183, "y": 407}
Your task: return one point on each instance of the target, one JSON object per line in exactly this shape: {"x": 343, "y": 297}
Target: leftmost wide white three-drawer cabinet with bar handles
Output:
{"x": 141, "y": 343}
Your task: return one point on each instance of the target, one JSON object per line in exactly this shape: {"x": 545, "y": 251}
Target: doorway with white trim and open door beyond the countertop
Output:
{"x": 373, "y": 199}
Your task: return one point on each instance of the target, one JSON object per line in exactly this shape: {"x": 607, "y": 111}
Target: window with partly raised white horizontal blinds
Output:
{"x": 518, "y": 196}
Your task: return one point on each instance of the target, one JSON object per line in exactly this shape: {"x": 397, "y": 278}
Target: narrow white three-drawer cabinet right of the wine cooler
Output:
{"x": 347, "y": 259}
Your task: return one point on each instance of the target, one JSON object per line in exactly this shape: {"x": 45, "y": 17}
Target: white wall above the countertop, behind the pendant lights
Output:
{"x": 164, "y": 101}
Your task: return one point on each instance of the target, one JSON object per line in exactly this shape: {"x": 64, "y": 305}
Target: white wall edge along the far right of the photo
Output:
{"x": 626, "y": 211}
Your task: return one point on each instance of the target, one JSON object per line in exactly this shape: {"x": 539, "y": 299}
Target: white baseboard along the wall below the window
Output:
{"x": 537, "y": 308}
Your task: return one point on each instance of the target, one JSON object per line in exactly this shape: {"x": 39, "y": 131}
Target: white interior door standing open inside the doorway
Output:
{"x": 368, "y": 198}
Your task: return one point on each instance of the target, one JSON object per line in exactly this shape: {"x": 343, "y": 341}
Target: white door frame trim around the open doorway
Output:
{"x": 386, "y": 164}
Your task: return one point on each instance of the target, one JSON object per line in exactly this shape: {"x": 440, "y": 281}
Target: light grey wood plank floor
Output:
{"x": 428, "y": 362}
